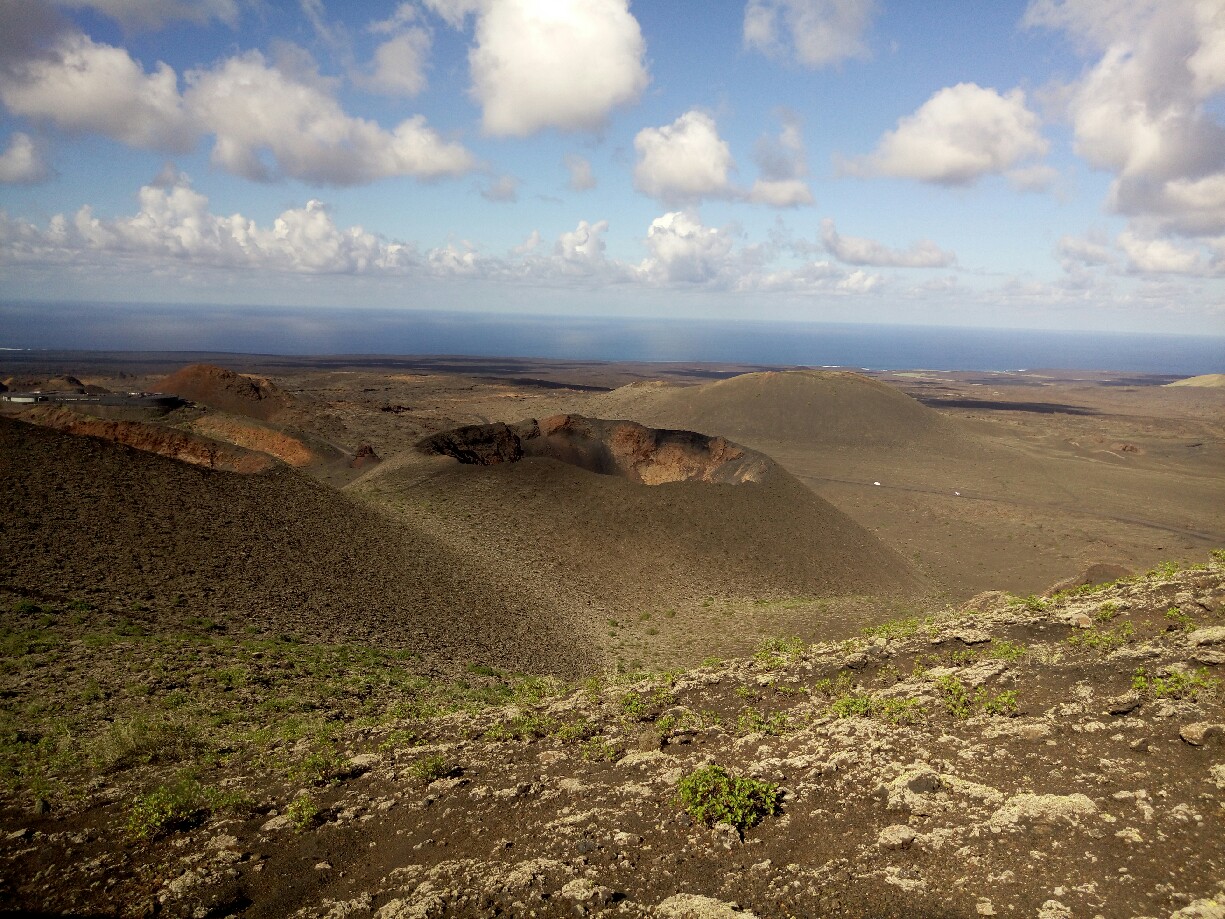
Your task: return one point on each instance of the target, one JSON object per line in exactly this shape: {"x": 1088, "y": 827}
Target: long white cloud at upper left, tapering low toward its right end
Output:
{"x": 255, "y": 111}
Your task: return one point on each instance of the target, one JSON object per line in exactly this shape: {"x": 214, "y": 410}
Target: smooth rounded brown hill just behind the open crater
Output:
{"x": 797, "y": 406}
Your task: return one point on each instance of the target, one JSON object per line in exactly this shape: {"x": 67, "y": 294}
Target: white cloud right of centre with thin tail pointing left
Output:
{"x": 956, "y": 138}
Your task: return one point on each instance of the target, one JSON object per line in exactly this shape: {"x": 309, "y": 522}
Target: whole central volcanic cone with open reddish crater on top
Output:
{"x": 676, "y": 515}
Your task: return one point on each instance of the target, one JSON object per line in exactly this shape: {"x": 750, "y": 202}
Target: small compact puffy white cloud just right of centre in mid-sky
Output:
{"x": 684, "y": 161}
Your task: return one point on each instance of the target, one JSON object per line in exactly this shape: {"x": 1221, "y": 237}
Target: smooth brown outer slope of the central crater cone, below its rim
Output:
{"x": 635, "y": 546}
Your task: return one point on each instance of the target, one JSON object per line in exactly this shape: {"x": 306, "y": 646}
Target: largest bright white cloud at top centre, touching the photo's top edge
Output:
{"x": 564, "y": 64}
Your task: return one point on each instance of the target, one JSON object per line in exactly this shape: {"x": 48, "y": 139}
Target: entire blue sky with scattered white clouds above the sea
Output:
{"x": 1043, "y": 165}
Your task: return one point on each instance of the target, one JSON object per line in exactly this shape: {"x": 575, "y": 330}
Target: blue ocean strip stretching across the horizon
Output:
{"x": 367, "y": 331}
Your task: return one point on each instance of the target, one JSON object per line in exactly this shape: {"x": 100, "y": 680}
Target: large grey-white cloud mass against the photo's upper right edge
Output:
{"x": 1147, "y": 111}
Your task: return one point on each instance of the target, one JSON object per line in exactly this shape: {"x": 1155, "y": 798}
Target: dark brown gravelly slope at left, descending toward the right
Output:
{"x": 85, "y": 518}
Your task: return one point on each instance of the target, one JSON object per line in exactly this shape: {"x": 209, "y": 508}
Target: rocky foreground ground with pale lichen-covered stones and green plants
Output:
{"x": 1042, "y": 757}
